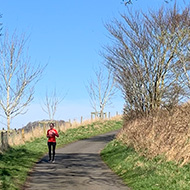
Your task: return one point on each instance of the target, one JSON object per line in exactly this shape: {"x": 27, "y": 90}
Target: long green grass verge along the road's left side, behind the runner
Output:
{"x": 17, "y": 161}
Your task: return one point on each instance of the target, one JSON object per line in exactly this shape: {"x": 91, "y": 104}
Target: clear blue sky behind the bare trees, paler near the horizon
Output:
{"x": 68, "y": 35}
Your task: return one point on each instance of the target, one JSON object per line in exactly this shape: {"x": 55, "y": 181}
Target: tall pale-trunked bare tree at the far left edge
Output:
{"x": 17, "y": 77}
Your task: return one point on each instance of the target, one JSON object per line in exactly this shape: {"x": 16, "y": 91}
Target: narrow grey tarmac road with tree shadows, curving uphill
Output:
{"x": 78, "y": 166}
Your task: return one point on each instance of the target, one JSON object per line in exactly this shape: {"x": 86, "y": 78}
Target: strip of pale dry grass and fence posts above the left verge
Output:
{"x": 39, "y": 129}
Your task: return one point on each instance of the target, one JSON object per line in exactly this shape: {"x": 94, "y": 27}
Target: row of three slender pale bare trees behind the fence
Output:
{"x": 18, "y": 78}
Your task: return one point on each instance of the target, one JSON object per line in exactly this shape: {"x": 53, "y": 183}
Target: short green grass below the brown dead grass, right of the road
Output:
{"x": 139, "y": 173}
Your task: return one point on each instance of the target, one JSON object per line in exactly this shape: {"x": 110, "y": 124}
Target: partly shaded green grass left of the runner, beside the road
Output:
{"x": 17, "y": 161}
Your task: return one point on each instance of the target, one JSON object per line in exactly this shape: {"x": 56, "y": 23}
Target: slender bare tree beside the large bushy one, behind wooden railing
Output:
{"x": 101, "y": 90}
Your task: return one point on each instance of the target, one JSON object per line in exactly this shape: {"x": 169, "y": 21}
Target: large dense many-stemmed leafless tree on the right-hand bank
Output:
{"x": 144, "y": 57}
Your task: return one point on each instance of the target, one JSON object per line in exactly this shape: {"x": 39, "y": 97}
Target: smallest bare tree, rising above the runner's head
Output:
{"x": 52, "y": 100}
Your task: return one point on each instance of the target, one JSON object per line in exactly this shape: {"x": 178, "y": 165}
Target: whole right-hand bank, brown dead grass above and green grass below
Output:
{"x": 153, "y": 153}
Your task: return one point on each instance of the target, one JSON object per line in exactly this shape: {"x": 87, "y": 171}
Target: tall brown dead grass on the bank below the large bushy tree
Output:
{"x": 166, "y": 133}
